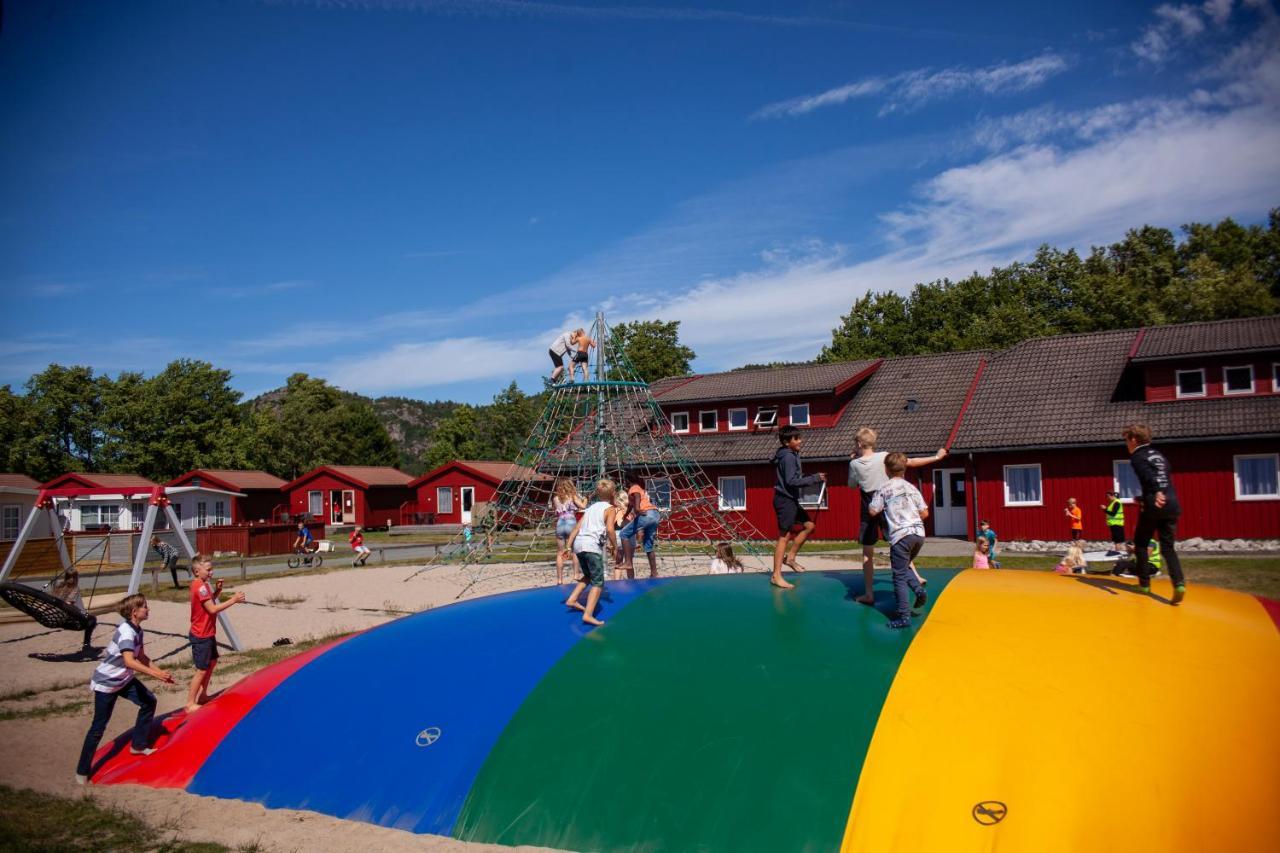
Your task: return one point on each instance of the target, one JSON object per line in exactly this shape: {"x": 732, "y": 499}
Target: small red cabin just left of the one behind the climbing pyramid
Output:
{"x": 364, "y": 495}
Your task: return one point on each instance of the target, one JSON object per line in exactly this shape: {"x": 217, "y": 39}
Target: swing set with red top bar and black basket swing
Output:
{"x": 56, "y": 613}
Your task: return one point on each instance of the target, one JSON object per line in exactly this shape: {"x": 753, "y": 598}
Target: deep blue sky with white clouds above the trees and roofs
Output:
{"x": 414, "y": 197}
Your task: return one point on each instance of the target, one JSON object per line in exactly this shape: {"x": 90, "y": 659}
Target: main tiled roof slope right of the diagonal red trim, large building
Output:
{"x": 1064, "y": 391}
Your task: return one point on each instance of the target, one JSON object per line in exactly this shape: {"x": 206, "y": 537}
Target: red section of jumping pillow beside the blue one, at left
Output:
{"x": 184, "y": 743}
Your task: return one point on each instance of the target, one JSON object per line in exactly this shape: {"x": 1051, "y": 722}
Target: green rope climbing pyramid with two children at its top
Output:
{"x": 609, "y": 427}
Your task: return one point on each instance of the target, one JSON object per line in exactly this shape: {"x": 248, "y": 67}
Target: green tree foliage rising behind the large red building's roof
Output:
{"x": 1149, "y": 279}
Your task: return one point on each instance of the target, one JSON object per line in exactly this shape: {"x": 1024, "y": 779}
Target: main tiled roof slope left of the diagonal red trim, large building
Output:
{"x": 938, "y": 384}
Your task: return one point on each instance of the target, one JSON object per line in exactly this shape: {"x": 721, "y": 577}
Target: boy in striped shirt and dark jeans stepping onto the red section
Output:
{"x": 115, "y": 679}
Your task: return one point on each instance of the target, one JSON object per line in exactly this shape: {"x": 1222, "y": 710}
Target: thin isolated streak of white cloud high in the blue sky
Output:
{"x": 909, "y": 90}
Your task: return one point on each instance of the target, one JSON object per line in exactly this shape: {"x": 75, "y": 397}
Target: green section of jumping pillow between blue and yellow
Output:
{"x": 714, "y": 714}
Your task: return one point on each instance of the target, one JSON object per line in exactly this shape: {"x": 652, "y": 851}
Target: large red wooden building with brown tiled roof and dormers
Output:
{"x": 1027, "y": 428}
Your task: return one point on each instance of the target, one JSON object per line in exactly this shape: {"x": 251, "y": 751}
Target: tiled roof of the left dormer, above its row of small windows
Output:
{"x": 764, "y": 382}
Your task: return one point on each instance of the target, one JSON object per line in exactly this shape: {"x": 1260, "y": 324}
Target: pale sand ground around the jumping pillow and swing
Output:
{"x": 40, "y": 754}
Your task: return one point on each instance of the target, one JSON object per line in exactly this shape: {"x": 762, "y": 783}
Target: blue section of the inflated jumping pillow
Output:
{"x": 341, "y": 736}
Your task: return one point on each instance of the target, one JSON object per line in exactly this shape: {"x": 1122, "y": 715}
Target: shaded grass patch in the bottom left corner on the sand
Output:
{"x": 36, "y": 823}
